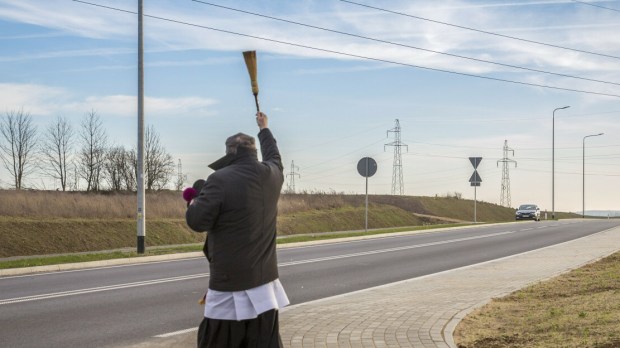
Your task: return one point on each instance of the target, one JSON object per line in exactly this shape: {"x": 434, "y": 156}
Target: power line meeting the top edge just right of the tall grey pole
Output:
{"x": 405, "y": 45}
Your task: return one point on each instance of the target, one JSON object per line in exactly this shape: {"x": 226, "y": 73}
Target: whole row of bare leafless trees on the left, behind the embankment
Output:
{"x": 83, "y": 156}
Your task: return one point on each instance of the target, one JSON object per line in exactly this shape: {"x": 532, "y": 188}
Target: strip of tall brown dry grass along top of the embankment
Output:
{"x": 169, "y": 204}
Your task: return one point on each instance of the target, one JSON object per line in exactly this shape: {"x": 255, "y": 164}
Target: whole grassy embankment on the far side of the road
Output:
{"x": 48, "y": 222}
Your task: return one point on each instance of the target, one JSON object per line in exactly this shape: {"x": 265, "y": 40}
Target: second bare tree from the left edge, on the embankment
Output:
{"x": 56, "y": 150}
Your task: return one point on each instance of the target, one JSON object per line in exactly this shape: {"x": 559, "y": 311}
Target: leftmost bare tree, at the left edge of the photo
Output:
{"x": 18, "y": 145}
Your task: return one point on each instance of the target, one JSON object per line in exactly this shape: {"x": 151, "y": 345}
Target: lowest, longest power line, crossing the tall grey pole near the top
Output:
{"x": 530, "y": 84}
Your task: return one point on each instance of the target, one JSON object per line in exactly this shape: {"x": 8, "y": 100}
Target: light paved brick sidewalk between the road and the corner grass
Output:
{"x": 421, "y": 312}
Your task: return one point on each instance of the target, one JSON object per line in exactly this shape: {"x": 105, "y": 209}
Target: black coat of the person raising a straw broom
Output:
{"x": 237, "y": 207}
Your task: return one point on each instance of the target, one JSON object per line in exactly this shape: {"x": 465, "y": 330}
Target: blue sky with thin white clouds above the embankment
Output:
{"x": 461, "y": 78}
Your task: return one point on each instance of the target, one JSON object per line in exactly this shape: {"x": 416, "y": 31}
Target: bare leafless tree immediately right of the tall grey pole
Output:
{"x": 158, "y": 164}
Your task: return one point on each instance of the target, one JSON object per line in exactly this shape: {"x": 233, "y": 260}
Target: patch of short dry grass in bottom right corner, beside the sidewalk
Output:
{"x": 578, "y": 309}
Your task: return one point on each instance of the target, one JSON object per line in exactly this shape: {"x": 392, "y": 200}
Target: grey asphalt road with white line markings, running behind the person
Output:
{"x": 121, "y": 305}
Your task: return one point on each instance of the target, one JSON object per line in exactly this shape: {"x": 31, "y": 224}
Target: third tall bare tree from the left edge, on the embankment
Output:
{"x": 93, "y": 139}
